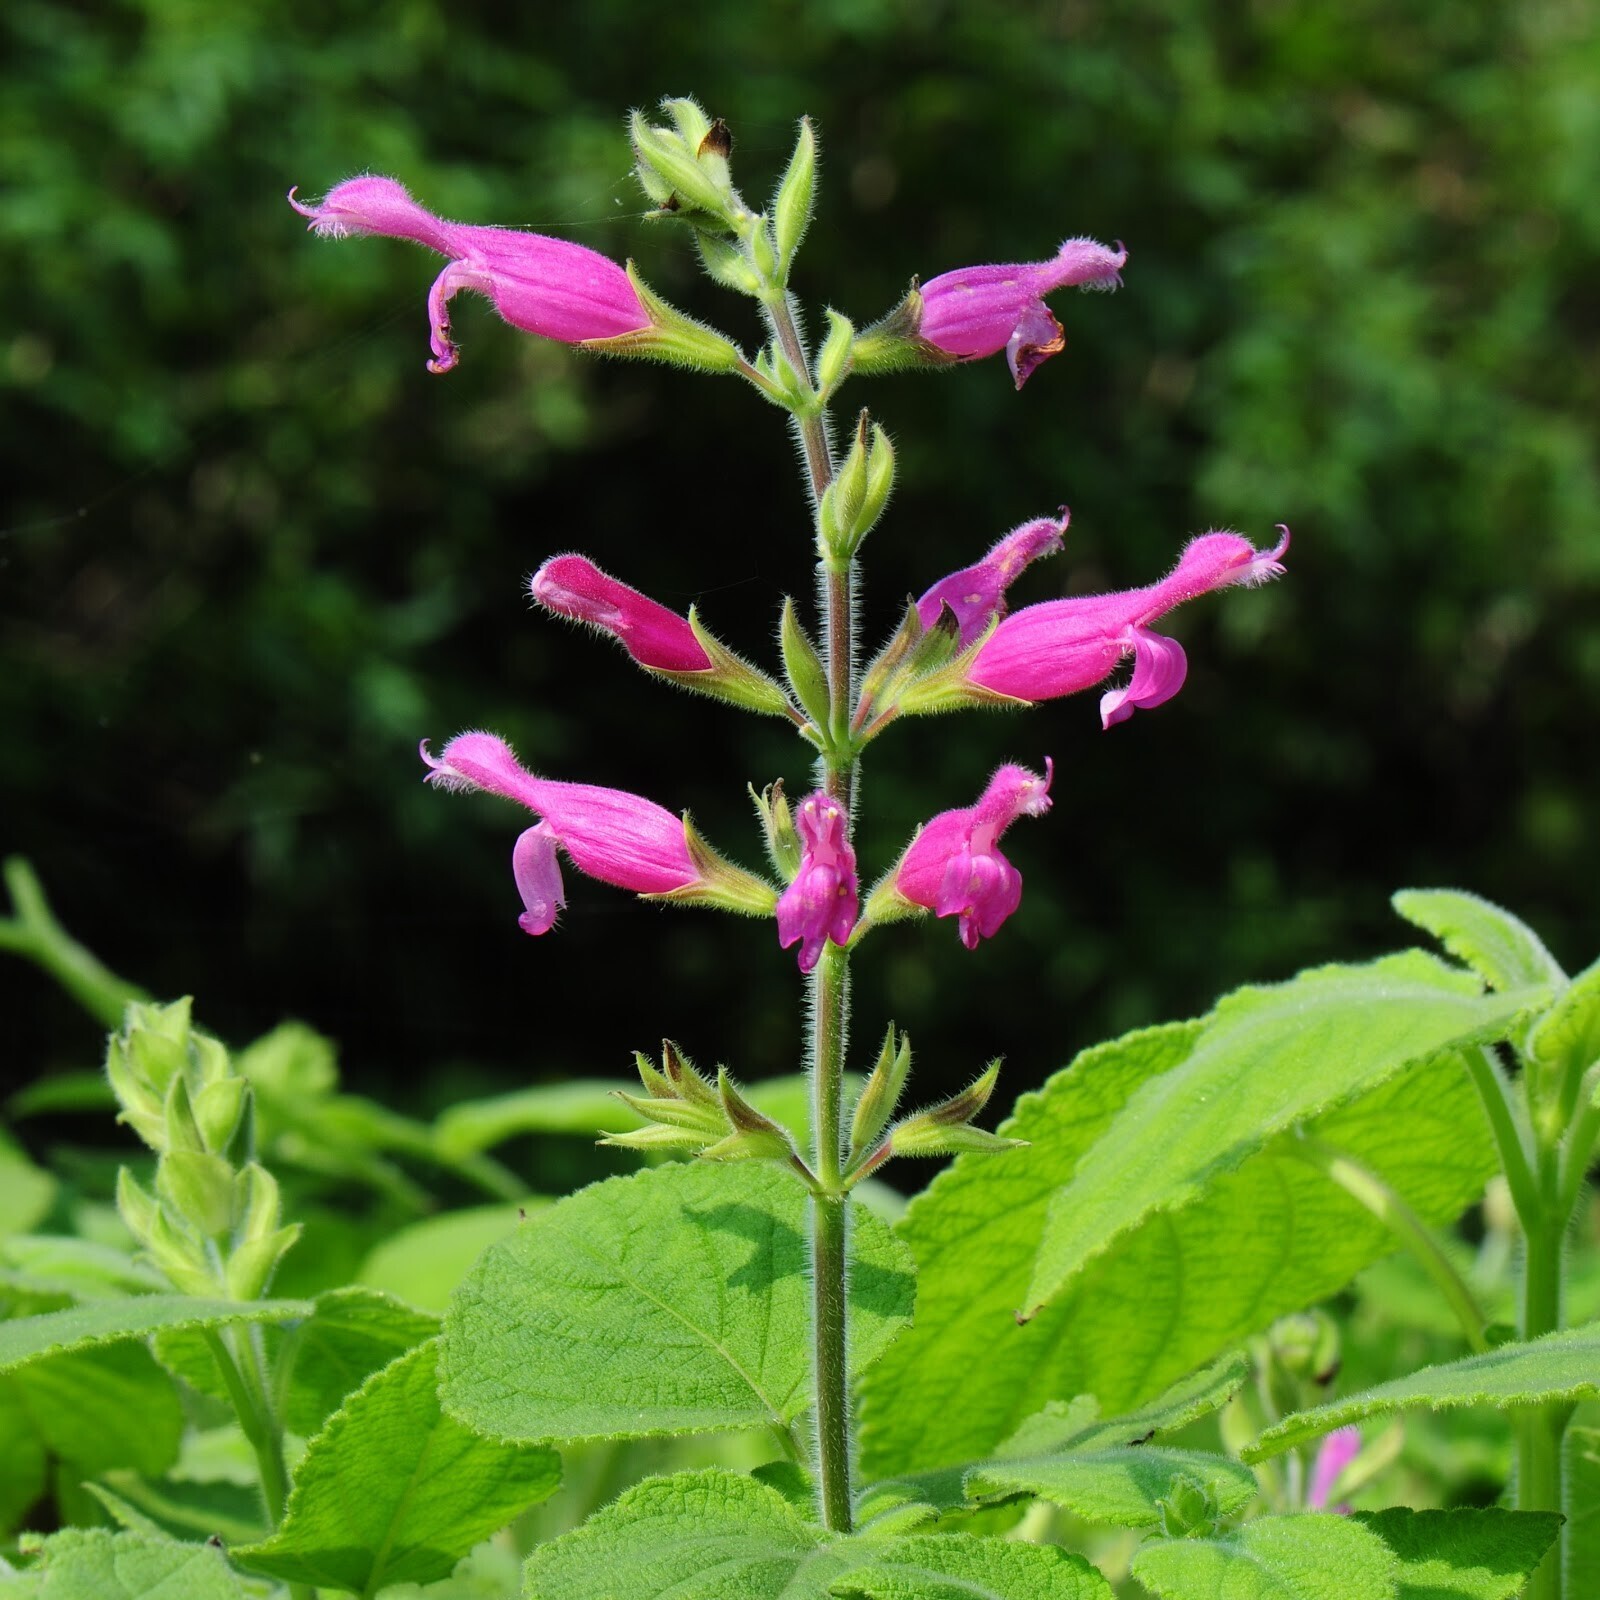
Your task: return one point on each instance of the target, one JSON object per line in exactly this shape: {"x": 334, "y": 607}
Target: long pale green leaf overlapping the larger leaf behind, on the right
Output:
{"x": 1270, "y": 1060}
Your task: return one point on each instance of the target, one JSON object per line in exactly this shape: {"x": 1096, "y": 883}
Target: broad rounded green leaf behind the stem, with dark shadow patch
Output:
{"x": 671, "y": 1302}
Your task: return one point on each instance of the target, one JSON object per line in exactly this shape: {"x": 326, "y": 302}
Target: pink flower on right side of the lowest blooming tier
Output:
{"x": 954, "y": 865}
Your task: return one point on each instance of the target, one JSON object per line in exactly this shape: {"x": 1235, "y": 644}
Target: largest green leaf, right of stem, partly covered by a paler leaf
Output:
{"x": 1186, "y": 1286}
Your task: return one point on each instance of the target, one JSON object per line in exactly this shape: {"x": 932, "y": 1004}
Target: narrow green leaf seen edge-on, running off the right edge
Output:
{"x": 1559, "y": 1367}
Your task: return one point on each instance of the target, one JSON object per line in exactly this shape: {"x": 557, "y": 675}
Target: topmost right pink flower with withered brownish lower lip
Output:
{"x": 978, "y": 311}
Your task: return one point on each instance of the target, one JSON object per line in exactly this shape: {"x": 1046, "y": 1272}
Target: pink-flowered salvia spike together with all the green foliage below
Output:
{"x": 1090, "y": 1359}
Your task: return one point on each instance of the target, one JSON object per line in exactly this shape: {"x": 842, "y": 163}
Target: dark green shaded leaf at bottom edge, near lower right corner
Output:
{"x": 1465, "y": 1554}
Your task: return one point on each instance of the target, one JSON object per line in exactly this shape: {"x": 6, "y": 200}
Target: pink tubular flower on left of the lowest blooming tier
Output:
{"x": 614, "y": 836}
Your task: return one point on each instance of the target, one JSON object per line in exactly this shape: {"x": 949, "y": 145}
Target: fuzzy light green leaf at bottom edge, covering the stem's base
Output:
{"x": 721, "y": 1537}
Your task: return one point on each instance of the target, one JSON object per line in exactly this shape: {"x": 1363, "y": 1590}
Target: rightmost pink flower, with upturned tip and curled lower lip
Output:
{"x": 1068, "y": 646}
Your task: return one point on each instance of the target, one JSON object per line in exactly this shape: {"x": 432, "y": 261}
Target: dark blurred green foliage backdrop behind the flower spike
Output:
{"x": 252, "y": 551}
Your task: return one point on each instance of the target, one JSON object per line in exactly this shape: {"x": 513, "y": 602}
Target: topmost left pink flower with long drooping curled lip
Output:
{"x": 545, "y": 286}
